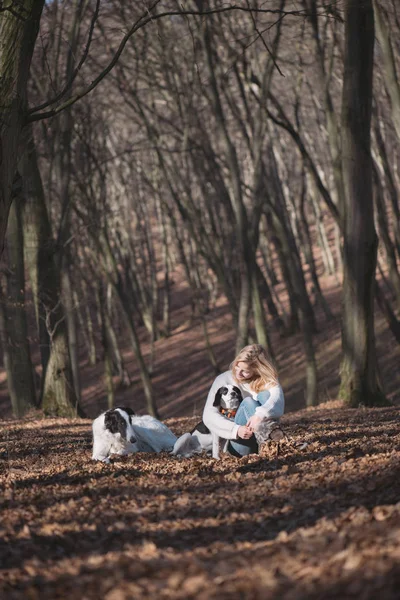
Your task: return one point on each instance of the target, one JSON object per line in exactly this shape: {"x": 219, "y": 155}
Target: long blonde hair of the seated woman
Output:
{"x": 256, "y": 356}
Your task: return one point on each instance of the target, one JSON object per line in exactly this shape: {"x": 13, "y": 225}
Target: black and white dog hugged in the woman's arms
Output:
{"x": 227, "y": 399}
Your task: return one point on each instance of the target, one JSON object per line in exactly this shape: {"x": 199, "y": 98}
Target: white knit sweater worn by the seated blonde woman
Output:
{"x": 272, "y": 408}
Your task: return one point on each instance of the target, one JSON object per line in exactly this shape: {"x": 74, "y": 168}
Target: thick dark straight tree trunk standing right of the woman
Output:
{"x": 359, "y": 378}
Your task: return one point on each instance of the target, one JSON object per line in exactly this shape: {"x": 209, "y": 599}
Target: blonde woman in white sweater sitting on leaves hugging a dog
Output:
{"x": 263, "y": 404}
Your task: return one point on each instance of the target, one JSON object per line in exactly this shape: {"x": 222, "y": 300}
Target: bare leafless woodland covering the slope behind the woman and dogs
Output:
{"x": 195, "y": 201}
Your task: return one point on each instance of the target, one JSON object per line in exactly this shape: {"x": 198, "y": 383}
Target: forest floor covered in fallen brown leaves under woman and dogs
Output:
{"x": 317, "y": 517}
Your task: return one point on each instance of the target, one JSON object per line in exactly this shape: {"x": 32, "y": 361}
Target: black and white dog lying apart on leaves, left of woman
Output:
{"x": 120, "y": 431}
